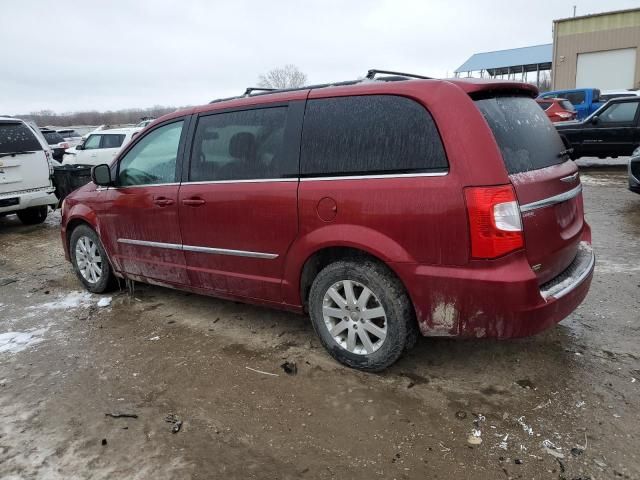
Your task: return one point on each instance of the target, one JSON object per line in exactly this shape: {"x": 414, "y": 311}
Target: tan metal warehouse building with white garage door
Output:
{"x": 600, "y": 50}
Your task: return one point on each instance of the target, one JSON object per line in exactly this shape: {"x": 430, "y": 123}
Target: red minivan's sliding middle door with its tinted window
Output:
{"x": 238, "y": 208}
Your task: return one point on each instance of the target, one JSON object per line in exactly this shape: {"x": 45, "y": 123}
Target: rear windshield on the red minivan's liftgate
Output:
{"x": 526, "y": 137}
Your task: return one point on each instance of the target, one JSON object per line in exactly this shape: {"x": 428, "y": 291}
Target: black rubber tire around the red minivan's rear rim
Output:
{"x": 401, "y": 327}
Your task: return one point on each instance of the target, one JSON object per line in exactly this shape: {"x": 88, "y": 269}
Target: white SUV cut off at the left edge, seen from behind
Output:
{"x": 25, "y": 172}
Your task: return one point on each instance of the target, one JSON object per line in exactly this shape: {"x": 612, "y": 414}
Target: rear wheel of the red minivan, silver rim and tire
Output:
{"x": 362, "y": 314}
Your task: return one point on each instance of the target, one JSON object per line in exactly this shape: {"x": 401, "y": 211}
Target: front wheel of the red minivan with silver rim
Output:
{"x": 89, "y": 260}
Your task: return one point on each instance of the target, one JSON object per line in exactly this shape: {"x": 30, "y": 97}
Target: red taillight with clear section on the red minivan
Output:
{"x": 494, "y": 221}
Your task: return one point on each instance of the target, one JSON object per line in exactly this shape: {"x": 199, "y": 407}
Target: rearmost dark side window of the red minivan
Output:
{"x": 372, "y": 134}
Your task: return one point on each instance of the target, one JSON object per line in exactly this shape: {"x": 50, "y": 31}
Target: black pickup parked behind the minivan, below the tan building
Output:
{"x": 612, "y": 131}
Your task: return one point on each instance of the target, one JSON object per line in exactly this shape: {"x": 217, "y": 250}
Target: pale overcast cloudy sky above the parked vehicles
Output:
{"x": 72, "y": 55}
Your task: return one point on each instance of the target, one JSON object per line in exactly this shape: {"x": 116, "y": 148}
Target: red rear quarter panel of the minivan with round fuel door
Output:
{"x": 419, "y": 220}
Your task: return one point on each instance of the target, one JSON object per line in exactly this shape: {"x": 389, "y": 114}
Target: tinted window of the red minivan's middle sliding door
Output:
{"x": 243, "y": 145}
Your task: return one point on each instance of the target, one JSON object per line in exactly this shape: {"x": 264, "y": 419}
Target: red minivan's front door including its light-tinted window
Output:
{"x": 140, "y": 214}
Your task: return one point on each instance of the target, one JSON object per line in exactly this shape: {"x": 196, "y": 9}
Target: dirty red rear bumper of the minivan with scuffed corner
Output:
{"x": 500, "y": 298}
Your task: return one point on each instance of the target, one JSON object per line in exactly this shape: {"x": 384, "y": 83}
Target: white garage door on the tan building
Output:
{"x": 608, "y": 70}
